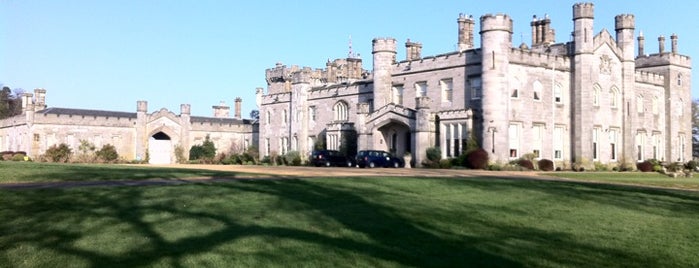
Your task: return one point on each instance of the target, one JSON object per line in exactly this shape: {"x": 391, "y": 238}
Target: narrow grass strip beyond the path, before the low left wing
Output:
{"x": 13, "y": 172}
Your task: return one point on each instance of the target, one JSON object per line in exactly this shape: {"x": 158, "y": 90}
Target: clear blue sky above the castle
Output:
{"x": 109, "y": 54}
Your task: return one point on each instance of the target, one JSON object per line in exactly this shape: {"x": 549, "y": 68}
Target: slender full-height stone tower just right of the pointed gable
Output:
{"x": 624, "y": 26}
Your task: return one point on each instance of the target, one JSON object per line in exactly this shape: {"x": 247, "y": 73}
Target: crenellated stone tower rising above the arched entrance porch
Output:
{"x": 384, "y": 52}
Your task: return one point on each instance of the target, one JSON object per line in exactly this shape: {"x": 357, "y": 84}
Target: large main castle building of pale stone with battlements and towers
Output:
{"x": 598, "y": 98}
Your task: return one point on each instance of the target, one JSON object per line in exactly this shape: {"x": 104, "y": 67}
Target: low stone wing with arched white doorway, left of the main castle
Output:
{"x": 136, "y": 136}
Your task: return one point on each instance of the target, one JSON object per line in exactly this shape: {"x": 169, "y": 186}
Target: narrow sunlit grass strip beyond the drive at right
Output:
{"x": 633, "y": 178}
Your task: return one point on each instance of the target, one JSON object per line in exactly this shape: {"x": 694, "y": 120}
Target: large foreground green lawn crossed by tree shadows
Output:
{"x": 351, "y": 222}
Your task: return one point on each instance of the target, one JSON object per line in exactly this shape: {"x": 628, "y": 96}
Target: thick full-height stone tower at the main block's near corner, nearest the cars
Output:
{"x": 496, "y": 43}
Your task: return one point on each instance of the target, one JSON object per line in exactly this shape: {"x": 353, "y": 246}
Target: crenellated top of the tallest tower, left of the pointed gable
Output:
{"x": 583, "y": 19}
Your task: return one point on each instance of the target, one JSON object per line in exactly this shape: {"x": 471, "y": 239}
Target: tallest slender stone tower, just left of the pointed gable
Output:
{"x": 581, "y": 93}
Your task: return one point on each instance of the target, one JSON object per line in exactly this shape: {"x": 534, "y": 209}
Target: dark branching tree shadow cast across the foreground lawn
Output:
{"x": 392, "y": 238}
